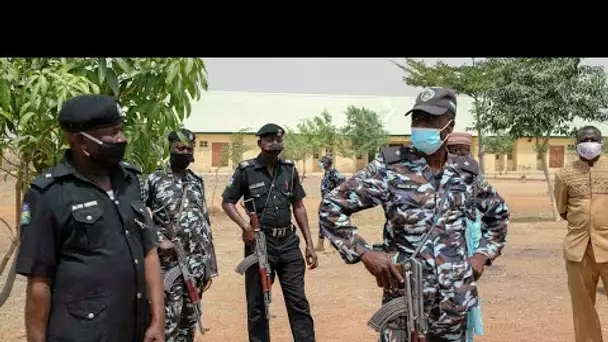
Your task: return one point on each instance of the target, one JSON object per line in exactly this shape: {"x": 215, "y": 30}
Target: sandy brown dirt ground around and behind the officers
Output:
{"x": 524, "y": 293}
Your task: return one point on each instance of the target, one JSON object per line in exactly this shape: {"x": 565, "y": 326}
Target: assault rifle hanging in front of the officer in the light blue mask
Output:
{"x": 410, "y": 305}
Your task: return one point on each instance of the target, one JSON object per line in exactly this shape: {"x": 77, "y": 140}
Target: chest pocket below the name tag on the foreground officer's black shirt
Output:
{"x": 89, "y": 227}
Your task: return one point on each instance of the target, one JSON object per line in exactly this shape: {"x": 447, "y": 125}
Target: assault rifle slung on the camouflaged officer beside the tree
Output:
{"x": 182, "y": 267}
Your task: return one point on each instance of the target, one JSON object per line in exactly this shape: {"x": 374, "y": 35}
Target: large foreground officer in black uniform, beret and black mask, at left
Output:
{"x": 87, "y": 248}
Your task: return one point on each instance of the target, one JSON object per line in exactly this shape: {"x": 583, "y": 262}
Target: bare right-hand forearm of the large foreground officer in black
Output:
{"x": 154, "y": 280}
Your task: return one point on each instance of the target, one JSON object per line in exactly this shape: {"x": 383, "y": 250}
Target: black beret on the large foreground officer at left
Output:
{"x": 89, "y": 112}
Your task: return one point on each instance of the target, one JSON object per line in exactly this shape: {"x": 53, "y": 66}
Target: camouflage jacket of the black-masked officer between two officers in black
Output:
{"x": 162, "y": 193}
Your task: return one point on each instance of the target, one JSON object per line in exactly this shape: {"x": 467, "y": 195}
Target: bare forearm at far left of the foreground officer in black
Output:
{"x": 37, "y": 308}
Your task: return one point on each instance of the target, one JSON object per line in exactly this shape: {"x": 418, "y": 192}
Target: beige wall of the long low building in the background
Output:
{"x": 523, "y": 158}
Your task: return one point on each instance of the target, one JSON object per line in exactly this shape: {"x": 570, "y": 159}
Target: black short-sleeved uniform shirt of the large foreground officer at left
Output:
{"x": 92, "y": 247}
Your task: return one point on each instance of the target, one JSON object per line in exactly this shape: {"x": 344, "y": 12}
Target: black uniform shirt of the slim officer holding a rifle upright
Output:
{"x": 252, "y": 179}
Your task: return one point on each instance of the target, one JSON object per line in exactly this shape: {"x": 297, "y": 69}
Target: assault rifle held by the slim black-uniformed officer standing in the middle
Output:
{"x": 260, "y": 256}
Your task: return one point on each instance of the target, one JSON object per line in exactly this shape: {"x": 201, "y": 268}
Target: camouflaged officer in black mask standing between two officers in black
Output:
{"x": 163, "y": 192}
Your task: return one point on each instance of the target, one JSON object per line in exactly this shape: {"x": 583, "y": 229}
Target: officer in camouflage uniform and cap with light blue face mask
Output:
{"x": 422, "y": 188}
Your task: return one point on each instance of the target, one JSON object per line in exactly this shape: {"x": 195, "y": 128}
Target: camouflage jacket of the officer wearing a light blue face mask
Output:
{"x": 415, "y": 200}
